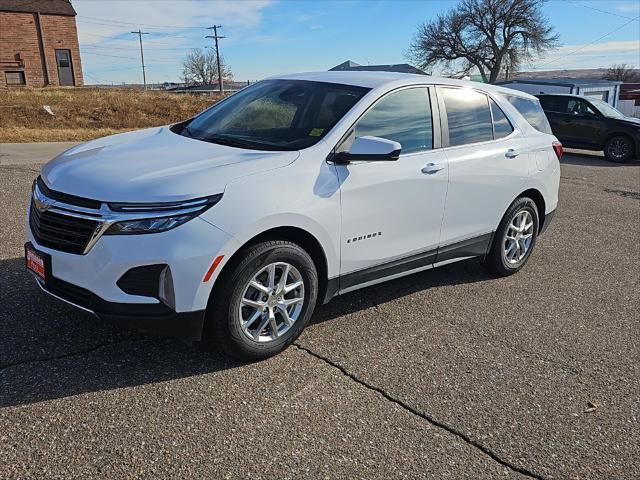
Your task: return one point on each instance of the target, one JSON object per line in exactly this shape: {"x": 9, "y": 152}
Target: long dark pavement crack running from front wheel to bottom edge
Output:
{"x": 425, "y": 416}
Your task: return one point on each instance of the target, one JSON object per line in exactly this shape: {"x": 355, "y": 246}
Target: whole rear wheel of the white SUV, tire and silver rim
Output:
{"x": 506, "y": 257}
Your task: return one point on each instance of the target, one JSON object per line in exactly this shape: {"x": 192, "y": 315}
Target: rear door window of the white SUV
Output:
{"x": 468, "y": 116}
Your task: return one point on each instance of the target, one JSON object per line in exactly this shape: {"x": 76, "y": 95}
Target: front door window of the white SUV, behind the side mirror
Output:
{"x": 403, "y": 116}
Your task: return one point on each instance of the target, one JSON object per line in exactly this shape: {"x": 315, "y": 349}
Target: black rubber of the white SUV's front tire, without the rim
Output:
{"x": 222, "y": 325}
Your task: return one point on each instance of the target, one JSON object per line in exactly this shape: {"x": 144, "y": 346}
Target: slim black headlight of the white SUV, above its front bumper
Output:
{"x": 156, "y": 218}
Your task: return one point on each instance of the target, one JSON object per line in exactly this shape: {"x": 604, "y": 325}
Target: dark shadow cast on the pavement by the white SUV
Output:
{"x": 49, "y": 350}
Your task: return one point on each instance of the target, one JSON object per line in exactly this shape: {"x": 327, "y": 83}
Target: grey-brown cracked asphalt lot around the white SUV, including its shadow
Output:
{"x": 444, "y": 374}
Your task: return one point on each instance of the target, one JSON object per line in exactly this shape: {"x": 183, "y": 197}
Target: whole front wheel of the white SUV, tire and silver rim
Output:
{"x": 228, "y": 308}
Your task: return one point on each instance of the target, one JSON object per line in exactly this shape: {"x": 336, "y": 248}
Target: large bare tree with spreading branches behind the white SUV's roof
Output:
{"x": 490, "y": 35}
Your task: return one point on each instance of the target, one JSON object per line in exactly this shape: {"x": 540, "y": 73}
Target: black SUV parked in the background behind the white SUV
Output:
{"x": 592, "y": 124}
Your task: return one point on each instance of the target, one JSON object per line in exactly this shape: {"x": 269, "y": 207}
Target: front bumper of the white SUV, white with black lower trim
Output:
{"x": 89, "y": 281}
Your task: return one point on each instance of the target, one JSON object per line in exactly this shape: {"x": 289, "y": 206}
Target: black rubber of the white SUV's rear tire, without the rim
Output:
{"x": 496, "y": 261}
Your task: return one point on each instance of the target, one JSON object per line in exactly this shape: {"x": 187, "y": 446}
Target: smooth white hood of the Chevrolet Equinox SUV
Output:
{"x": 154, "y": 165}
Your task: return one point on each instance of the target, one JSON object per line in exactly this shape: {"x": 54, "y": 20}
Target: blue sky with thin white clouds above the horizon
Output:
{"x": 267, "y": 37}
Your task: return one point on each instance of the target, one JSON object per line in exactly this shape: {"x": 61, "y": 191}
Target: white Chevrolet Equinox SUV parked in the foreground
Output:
{"x": 232, "y": 225}
